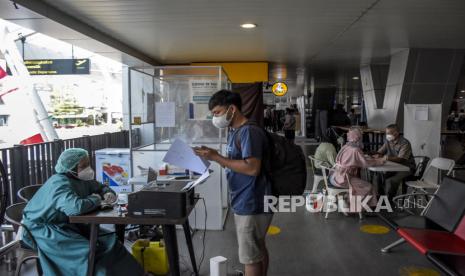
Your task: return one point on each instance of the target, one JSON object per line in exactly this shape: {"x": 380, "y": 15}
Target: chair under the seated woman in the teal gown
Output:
{"x": 14, "y": 215}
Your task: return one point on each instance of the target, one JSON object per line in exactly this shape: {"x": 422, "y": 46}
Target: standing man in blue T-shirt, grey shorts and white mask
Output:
{"x": 248, "y": 185}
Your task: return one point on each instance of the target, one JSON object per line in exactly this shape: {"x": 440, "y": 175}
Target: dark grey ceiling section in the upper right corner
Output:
{"x": 395, "y": 25}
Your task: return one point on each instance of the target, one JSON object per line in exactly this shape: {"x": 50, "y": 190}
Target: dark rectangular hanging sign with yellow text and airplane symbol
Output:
{"x": 58, "y": 66}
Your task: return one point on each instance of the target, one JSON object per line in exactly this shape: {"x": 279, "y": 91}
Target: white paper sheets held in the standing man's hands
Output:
{"x": 183, "y": 156}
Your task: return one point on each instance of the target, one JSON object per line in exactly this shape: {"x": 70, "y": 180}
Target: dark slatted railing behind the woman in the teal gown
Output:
{"x": 34, "y": 164}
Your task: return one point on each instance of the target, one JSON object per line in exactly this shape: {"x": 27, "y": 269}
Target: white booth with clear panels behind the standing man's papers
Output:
{"x": 172, "y": 102}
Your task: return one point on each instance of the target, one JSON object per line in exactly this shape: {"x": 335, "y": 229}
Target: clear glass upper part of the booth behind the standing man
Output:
{"x": 171, "y": 102}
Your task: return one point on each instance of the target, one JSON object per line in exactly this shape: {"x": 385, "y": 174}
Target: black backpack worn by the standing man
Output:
{"x": 284, "y": 164}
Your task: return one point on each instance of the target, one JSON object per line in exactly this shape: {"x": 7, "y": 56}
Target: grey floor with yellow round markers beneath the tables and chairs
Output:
{"x": 309, "y": 244}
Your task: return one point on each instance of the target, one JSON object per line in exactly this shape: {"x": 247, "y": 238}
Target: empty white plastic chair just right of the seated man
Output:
{"x": 429, "y": 180}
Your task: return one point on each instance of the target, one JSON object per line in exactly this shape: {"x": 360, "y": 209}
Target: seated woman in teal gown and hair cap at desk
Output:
{"x": 63, "y": 247}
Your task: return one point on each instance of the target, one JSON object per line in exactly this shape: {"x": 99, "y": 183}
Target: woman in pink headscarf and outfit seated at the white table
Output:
{"x": 349, "y": 161}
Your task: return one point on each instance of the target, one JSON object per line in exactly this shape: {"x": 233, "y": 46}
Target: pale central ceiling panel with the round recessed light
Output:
{"x": 187, "y": 31}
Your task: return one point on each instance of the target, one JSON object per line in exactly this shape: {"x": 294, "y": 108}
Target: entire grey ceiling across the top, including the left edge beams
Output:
{"x": 313, "y": 33}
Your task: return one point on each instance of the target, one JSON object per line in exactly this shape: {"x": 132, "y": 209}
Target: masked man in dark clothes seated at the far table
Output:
{"x": 396, "y": 149}
